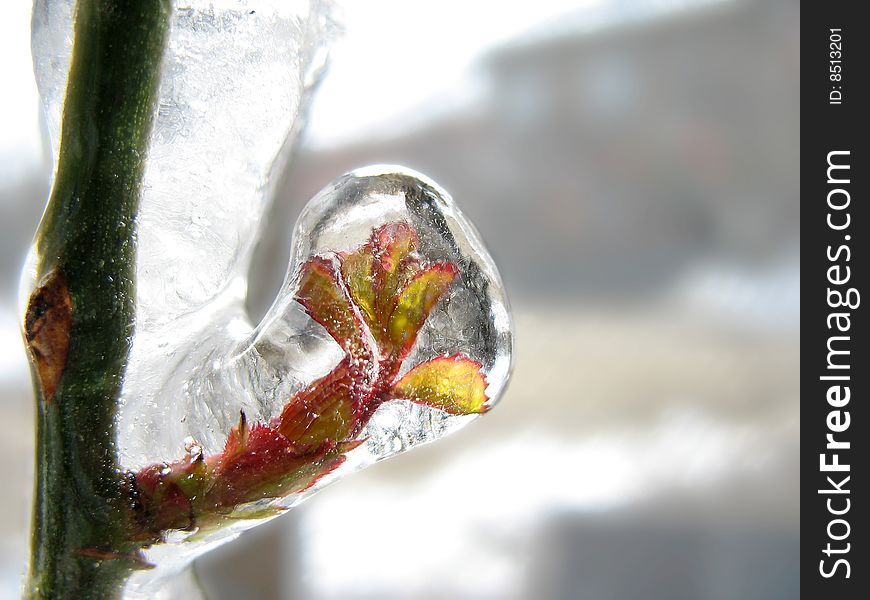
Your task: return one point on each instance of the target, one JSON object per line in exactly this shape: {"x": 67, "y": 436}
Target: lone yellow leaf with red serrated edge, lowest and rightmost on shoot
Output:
{"x": 453, "y": 384}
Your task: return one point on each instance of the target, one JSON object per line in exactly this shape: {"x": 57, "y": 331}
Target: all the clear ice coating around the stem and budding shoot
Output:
{"x": 235, "y": 81}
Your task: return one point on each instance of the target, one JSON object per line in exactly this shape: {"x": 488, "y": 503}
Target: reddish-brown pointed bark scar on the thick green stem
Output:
{"x": 47, "y": 326}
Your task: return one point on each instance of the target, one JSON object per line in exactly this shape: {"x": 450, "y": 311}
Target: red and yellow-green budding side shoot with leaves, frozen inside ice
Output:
{"x": 373, "y": 301}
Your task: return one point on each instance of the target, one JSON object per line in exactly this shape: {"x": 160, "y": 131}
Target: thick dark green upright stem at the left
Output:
{"x": 86, "y": 253}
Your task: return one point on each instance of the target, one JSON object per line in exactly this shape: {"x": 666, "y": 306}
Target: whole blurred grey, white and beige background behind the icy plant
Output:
{"x": 633, "y": 167}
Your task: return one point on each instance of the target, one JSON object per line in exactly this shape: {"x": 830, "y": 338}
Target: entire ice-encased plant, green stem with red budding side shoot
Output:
{"x": 167, "y": 422}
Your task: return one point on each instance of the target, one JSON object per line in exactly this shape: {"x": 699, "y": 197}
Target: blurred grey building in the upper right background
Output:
{"x": 609, "y": 159}
